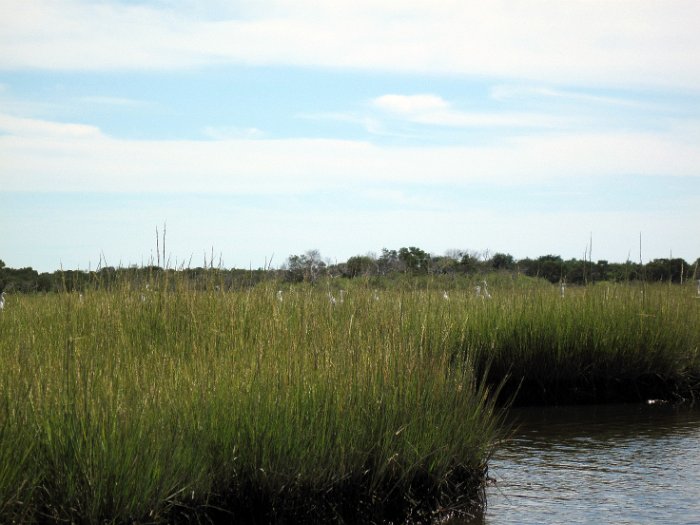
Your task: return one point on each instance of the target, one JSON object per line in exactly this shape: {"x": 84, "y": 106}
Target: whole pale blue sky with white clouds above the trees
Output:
{"x": 249, "y": 131}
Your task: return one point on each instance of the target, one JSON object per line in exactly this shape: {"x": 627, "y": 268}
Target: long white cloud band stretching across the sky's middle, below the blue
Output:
{"x": 38, "y": 155}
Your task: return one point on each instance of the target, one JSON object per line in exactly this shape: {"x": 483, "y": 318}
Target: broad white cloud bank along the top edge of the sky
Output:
{"x": 603, "y": 42}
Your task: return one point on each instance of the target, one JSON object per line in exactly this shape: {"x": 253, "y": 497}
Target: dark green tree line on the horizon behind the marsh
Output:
{"x": 410, "y": 261}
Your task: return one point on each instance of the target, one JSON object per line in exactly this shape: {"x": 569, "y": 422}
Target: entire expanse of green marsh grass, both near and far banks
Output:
{"x": 165, "y": 403}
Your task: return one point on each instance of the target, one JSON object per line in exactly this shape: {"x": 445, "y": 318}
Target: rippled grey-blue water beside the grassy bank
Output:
{"x": 636, "y": 464}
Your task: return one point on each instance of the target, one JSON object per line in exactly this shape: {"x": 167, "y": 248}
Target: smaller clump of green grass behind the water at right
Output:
{"x": 597, "y": 344}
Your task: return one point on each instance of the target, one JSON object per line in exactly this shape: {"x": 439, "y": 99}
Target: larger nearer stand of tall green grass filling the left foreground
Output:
{"x": 167, "y": 404}
